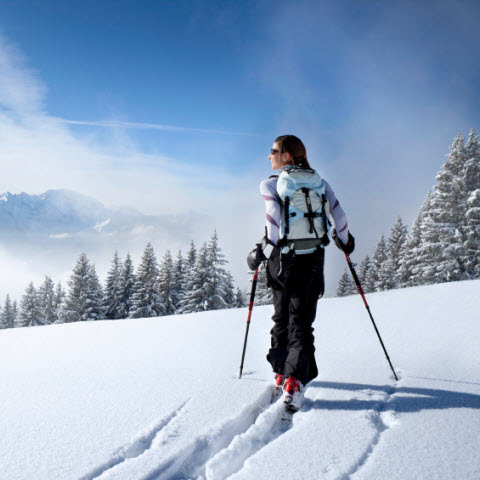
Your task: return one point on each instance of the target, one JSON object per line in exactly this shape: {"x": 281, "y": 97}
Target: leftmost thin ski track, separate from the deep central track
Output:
{"x": 139, "y": 445}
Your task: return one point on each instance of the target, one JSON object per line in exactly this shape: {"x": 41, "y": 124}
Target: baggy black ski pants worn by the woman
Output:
{"x": 297, "y": 282}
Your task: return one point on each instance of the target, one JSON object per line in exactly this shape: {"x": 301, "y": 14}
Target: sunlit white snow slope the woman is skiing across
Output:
{"x": 160, "y": 398}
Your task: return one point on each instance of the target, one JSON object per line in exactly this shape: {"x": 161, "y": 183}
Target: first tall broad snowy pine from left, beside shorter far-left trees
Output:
{"x": 84, "y": 300}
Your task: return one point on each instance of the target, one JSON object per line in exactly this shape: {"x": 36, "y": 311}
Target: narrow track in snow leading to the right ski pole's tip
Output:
{"x": 381, "y": 418}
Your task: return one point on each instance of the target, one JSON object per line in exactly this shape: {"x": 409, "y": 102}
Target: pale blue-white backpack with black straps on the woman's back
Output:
{"x": 304, "y": 223}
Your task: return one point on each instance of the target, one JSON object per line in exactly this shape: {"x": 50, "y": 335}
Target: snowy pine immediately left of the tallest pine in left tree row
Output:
{"x": 197, "y": 288}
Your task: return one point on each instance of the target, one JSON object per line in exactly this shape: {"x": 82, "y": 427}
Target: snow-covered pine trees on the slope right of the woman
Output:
{"x": 444, "y": 242}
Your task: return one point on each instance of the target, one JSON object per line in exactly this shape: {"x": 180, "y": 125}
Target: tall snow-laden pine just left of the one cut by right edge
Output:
{"x": 442, "y": 249}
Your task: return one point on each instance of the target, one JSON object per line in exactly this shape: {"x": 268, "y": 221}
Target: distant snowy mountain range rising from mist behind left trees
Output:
{"x": 45, "y": 234}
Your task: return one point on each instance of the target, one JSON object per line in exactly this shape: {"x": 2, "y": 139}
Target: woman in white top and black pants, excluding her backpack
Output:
{"x": 296, "y": 278}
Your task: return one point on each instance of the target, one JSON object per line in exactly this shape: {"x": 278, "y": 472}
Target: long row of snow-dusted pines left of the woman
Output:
{"x": 195, "y": 283}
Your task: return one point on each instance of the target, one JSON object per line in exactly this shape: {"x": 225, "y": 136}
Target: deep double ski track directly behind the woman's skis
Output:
{"x": 219, "y": 453}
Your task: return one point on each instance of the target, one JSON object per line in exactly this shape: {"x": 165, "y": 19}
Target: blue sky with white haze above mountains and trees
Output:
{"x": 377, "y": 91}
